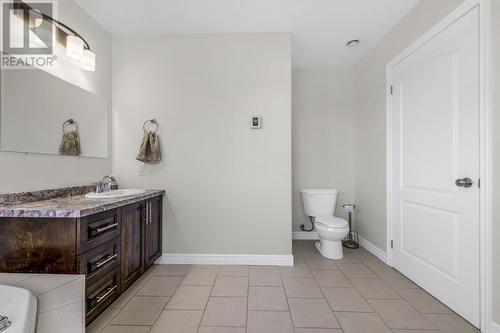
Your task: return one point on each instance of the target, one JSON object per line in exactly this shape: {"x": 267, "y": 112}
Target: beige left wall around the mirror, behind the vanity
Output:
{"x": 25, "y": 172}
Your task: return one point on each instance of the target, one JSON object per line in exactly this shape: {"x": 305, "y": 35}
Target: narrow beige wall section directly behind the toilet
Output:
{"x": 322, "y": 135}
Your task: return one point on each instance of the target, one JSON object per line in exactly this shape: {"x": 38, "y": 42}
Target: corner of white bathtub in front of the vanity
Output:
{"x": 20, "y": 306}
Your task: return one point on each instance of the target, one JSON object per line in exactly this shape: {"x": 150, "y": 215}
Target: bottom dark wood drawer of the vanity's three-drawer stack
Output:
{"x": 102, "y": 293}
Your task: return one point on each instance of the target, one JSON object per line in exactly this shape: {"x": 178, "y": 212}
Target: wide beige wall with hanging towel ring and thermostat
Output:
{"x": 228, "y": 186}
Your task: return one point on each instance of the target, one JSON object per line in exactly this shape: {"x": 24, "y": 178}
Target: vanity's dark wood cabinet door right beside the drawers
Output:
{"x": 132, "y": 243}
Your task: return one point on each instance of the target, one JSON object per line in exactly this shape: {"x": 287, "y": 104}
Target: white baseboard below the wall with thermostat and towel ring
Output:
{"x": 225, "y": 259}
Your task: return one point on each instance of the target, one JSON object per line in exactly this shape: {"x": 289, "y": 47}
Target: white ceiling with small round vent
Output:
{"x": 320, "y": 27}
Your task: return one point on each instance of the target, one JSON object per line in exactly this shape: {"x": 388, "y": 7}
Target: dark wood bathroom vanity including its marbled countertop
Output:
{"x": 112, "y": 241}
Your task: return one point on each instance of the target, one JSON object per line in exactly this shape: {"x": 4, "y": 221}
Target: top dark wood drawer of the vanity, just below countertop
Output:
{"x": 98, "y": 229}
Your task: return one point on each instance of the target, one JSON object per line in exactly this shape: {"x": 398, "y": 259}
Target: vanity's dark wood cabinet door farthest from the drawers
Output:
{"x": 153, "y": 230}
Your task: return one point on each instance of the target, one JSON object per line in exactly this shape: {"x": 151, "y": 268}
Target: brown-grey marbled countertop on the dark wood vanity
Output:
{"x": 73, "y": 206}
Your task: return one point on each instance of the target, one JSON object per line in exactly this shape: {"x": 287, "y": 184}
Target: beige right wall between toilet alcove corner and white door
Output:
{"x": 370, "y": 116}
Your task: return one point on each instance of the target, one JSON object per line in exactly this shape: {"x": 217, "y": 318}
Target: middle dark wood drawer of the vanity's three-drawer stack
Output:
{"x": 100, "y": 260}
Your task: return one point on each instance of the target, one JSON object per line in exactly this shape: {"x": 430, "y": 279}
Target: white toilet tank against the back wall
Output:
{"x": 319, "y": 202}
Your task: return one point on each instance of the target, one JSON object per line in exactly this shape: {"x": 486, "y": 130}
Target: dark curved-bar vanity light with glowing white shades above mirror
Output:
{"x": 76, "y": 46}
